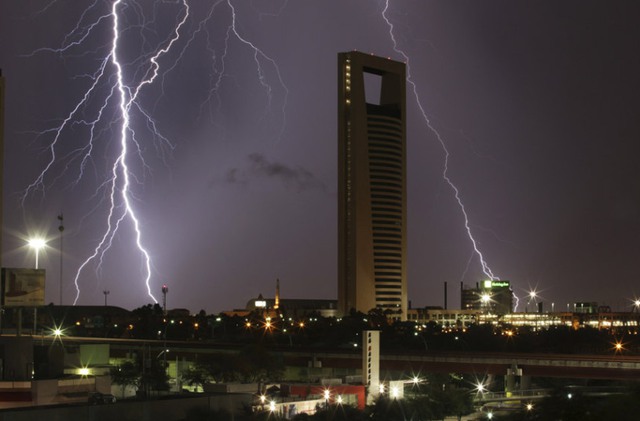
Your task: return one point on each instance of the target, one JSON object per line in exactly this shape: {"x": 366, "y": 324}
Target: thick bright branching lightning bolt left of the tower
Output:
{"x": 123, "y": 82}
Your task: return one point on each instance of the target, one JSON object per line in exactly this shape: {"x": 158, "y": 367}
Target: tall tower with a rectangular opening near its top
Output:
{"x": 372, "y": 214}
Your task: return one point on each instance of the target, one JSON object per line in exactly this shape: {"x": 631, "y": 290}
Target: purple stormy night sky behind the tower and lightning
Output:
{"x": 538, "y": 104}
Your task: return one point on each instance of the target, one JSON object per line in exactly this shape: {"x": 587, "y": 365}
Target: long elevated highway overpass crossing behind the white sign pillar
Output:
{"x": 613, "y": 366}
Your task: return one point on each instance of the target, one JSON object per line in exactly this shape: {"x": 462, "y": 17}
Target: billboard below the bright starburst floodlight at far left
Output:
{"x": 22, "y": 287}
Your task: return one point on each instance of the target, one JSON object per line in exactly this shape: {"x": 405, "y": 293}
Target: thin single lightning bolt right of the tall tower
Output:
{"x": 445, "y": 171}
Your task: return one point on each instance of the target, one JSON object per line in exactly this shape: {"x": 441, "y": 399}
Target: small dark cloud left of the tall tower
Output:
{"x": 292, "y": 177}
